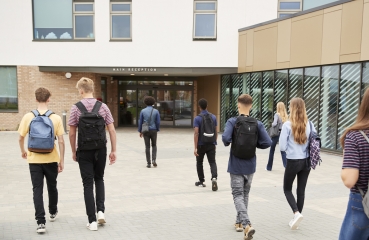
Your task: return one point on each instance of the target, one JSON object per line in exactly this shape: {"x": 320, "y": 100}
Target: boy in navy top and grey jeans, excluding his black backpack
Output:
{"x": 242, "y": 170}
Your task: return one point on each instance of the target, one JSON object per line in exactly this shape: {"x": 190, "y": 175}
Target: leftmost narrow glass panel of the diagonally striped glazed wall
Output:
{"x": 224, "y": 100}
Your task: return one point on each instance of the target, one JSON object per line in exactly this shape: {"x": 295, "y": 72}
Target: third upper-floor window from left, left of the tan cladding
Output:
{"x": 205, "y": 20}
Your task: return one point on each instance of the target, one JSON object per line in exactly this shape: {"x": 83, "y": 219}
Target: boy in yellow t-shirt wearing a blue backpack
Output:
{"x": 42, "y": 156}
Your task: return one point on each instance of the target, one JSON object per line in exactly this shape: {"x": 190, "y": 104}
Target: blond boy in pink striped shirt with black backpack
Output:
{"x": 91, "y": 117}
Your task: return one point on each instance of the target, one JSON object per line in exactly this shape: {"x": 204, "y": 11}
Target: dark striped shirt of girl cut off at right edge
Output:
{"x": 356, "y": 155}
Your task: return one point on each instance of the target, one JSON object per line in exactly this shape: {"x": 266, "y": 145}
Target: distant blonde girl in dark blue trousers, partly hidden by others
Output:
{"x": 279, "y": 118}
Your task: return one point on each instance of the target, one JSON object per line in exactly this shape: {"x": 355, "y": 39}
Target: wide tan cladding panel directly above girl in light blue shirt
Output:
{"x": 306, "y": 41}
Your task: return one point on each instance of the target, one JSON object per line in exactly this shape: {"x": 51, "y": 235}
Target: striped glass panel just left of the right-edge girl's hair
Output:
{"x": 349, "y": 97}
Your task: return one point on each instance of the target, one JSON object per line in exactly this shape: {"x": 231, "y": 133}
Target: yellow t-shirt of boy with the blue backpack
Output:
{"x": 58, "y": 130}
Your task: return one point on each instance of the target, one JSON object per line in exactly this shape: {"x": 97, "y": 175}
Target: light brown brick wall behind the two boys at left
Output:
{"x": 64, "y": 93}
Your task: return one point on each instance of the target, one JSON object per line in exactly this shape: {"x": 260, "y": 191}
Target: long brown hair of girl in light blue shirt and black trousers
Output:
{"x": 298, "y": 120}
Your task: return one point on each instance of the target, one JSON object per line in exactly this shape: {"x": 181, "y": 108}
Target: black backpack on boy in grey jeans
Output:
{"x": 245, "y": 137}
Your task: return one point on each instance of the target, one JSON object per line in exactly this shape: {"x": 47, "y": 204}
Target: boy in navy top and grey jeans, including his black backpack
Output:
{"x": 242, "y": 159}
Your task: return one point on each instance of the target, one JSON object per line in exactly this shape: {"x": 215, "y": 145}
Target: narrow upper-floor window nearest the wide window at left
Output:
{"x": 121, "y": 20}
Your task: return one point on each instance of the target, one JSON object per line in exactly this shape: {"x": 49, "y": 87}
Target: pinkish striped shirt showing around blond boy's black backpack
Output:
{"x": 89, "y": 104}
